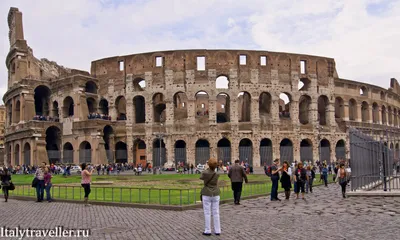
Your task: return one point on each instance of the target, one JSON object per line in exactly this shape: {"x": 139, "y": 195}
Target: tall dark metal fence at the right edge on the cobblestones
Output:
{"x": 372, "y": 162}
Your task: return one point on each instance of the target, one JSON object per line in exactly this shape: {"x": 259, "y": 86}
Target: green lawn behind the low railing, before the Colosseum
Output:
{"x": 166, "y": 189}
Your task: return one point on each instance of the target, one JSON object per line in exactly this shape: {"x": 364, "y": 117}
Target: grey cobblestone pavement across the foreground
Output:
{"x": 325, "y": 215}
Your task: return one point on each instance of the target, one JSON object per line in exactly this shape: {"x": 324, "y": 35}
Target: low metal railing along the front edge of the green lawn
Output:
{"x": 178, "y": 197}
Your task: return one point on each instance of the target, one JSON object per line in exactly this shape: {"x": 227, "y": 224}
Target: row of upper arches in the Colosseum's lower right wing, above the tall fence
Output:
{"x": 369, "y": 112}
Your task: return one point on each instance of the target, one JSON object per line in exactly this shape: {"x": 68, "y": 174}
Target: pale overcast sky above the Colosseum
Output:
{"x": 362, "y": 35}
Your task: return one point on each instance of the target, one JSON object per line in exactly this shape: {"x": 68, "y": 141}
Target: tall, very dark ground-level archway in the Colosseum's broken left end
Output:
{"x": 53, "y": 143}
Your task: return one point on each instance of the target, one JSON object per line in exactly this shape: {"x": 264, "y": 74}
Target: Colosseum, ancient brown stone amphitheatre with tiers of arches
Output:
{"x": 186, "y": 106}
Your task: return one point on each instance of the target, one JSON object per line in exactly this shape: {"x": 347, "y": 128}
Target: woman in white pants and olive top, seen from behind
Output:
{"x": 210, "y": 197}
